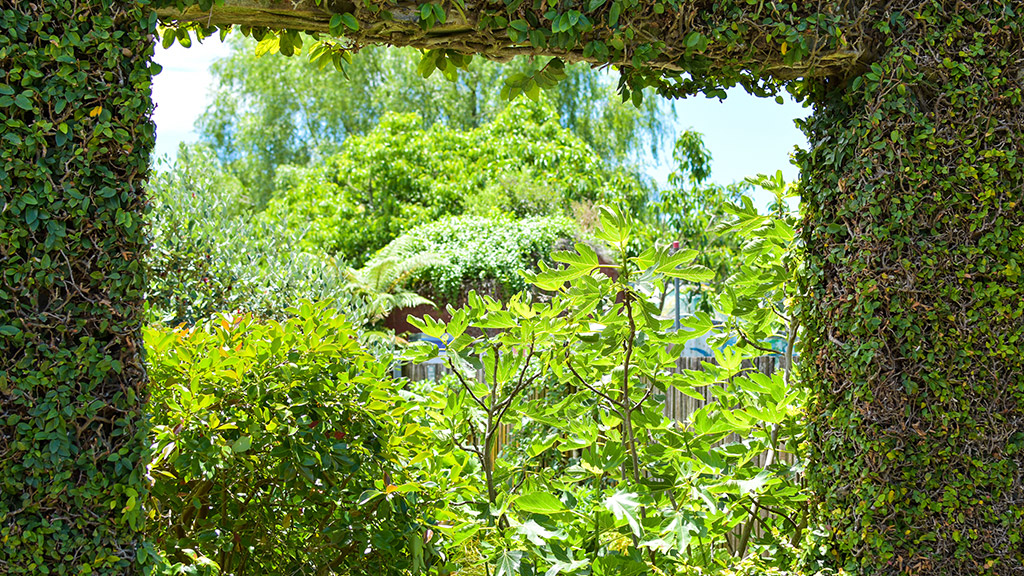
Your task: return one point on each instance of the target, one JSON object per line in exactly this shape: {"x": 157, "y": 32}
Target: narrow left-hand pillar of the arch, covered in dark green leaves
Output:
{"x": 74, "y": 121}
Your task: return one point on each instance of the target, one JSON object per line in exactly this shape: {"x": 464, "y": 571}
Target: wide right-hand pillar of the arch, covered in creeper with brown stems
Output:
{"x": 915, "y": 230}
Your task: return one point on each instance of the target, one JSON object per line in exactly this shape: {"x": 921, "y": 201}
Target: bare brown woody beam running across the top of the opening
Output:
{"x": 462, "y": 32}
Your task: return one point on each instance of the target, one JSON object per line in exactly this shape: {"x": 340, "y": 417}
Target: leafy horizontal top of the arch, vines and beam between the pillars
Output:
{"x": 678, "y": 48}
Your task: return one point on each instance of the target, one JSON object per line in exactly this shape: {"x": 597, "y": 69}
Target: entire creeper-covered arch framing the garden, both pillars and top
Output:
{"x": 913, "y": 185}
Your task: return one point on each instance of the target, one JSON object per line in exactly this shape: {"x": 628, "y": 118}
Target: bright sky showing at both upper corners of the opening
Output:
{"x": 746, "y": 136}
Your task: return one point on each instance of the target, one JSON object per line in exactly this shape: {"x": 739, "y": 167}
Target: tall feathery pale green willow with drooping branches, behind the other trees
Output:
{"x": 270, "y": 112}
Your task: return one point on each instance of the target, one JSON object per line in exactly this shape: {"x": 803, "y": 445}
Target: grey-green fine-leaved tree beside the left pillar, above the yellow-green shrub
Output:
{"x": 211, "y": 254}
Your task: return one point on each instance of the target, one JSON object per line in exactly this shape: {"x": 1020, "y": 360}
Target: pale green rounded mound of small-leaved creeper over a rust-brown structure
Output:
{"x": 477, "y": 254}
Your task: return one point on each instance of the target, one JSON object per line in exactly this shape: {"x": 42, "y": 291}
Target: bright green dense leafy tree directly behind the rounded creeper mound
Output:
{"x": 400, "y": 177}
